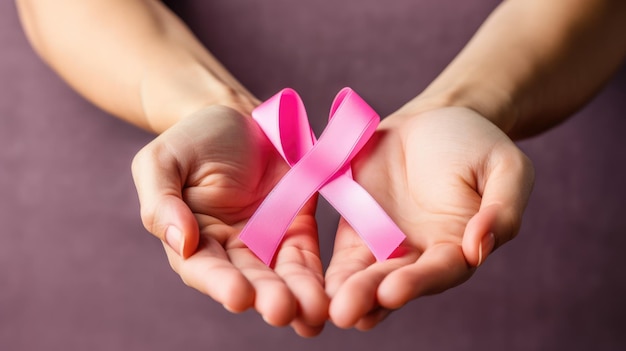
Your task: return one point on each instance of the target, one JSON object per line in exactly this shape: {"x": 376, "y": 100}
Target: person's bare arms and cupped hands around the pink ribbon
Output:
{"x": 443, "y": 166}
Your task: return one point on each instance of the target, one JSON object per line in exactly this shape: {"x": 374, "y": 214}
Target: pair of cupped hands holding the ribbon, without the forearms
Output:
{"x": 453, "y": 182}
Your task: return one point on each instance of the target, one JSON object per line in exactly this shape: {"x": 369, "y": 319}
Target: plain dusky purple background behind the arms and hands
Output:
{"x": 78, "y": 272}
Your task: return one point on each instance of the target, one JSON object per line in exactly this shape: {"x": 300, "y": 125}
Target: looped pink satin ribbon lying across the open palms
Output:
{"x": 323, "y": 166}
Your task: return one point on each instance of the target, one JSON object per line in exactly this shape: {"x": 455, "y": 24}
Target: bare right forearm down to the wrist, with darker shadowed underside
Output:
{"x": 534, "y": 62}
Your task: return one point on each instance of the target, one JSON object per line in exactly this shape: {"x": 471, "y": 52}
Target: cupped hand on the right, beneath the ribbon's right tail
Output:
{"x": 455, "y": 184}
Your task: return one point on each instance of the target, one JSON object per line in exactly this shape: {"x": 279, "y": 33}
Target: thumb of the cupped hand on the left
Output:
{"x": 159, "y": 182}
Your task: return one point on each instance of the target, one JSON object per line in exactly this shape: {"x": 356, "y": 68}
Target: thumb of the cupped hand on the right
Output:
{"x": 508, "y": 183}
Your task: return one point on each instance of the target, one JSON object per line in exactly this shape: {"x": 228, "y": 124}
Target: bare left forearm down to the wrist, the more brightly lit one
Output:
{"x": 133, "y": 58}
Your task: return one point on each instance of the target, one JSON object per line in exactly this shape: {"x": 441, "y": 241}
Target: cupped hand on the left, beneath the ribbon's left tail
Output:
{"x": 198, "y": 183}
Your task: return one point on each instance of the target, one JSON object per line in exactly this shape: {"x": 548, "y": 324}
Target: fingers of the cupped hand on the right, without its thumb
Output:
{"x": 364, "y": 292}
